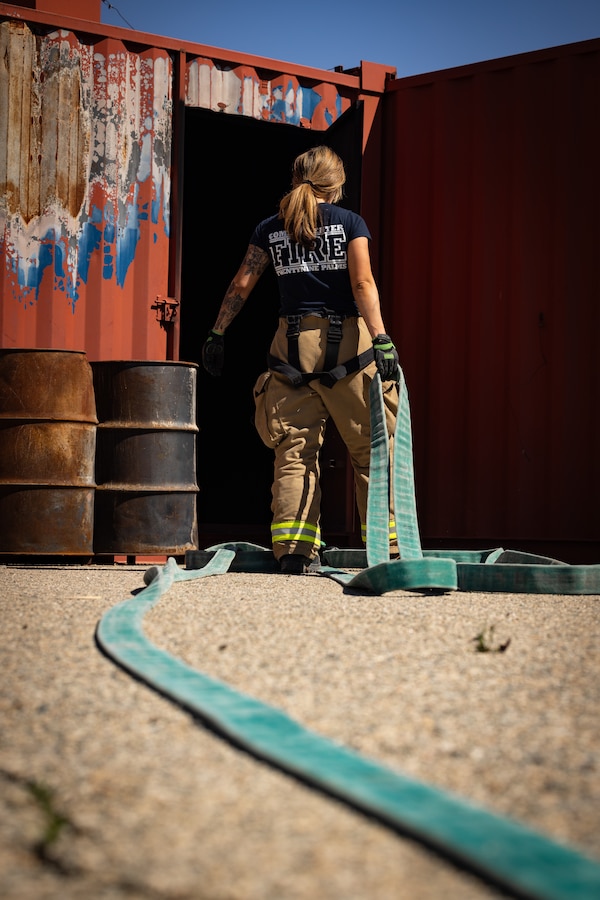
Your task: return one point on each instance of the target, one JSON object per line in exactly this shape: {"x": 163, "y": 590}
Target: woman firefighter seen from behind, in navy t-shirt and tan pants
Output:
{"x": 330, "y": 342}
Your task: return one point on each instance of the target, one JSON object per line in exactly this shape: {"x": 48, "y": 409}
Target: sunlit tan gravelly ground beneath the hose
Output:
{"x": 110, "y": 791}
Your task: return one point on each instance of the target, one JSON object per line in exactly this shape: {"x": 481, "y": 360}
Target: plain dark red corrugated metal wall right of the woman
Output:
{"x": 491, "y": 271}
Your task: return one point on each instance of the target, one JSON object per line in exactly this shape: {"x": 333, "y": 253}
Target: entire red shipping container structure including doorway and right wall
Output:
{"x": 119, "y": 169}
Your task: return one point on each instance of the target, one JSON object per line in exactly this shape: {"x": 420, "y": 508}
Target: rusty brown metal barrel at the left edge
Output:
{"x": 47, "y": 453}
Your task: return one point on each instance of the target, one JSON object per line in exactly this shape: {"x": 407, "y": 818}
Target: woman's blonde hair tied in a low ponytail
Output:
{"x": 318, "y": 173}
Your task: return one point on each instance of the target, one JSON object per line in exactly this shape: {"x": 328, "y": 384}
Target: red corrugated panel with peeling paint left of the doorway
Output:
{"x": 85, "y": 192}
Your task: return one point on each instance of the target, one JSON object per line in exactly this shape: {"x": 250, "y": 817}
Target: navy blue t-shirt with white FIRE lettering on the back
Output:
{"x": 310, "y": 281}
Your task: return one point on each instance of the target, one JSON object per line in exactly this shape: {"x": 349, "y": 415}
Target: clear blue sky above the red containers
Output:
{"x": 416, "y": 36}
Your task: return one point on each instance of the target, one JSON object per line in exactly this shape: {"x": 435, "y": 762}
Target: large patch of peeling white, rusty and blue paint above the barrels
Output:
{"x": 82, "y": 128}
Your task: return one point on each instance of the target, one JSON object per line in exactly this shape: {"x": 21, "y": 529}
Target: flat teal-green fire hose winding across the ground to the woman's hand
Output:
{"x": 509, "y": 854}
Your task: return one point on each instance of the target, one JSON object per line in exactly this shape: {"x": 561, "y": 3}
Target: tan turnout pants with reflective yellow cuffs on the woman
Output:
{"x": 292, "y": 421}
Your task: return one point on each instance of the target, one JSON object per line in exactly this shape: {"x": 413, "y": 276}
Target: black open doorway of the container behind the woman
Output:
{"x": 235, "y": 172}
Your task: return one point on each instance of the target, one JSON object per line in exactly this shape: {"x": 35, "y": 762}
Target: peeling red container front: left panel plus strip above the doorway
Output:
{"x": 91, "y": 149}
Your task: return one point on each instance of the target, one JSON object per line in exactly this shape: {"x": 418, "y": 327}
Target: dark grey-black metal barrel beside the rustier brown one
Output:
{"x": 146, "y": 489}
